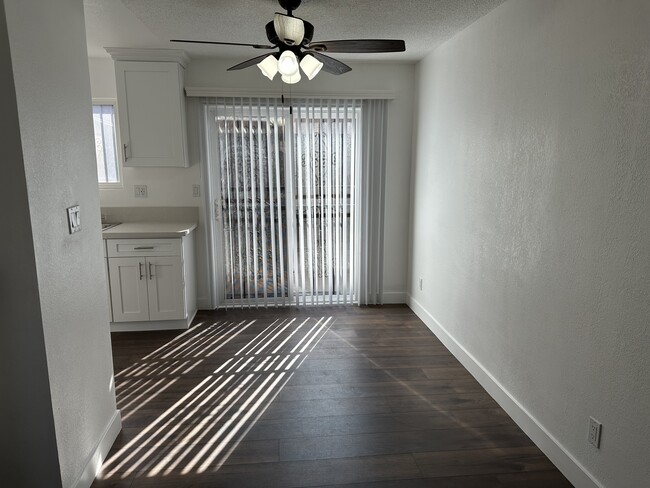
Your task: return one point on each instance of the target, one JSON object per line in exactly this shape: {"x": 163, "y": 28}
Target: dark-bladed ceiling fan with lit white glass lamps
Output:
{"x": 292, "y": 37}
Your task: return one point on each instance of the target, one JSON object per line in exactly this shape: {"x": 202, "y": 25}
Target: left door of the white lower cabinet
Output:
{"x": 128, "y": 278}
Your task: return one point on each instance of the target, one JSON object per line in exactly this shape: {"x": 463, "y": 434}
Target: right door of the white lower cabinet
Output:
{"x": 166, "y": 288}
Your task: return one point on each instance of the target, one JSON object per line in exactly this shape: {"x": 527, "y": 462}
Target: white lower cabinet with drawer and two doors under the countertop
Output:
{"x": 151, "y": 283}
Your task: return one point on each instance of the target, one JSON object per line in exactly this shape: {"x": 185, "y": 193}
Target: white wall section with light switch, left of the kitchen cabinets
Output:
{"x": 50, "y": 71}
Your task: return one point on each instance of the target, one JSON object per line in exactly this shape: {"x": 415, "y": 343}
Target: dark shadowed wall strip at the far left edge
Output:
{"x": 28, "y": 422}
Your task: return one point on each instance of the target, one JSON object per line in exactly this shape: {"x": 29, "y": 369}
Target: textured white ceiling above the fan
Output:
{"x": 423, "y": 24}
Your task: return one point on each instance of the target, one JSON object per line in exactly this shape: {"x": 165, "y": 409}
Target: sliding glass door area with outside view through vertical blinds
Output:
{"x": 287, "y": 200}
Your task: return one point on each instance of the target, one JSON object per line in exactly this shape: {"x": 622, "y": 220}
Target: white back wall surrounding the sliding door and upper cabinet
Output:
{"x": 175, "y": 186}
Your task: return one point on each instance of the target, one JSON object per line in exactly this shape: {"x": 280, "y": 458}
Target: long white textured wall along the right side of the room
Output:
{"x": 531, "y": 222}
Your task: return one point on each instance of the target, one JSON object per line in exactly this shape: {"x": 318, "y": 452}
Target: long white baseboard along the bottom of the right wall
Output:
{"x": 575, "y": 472}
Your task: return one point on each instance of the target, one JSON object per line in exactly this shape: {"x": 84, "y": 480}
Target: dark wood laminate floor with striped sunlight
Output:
{"x": 327, "y": 396}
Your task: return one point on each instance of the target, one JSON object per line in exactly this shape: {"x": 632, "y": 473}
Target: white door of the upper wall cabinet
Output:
{"x": 151, "y": 110}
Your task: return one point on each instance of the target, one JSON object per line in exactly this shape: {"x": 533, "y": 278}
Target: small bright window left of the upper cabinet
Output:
{"x": 106, "y": 153}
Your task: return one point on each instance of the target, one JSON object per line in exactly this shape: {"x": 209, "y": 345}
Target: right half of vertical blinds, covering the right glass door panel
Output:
{"x": 325, "y": 135}
